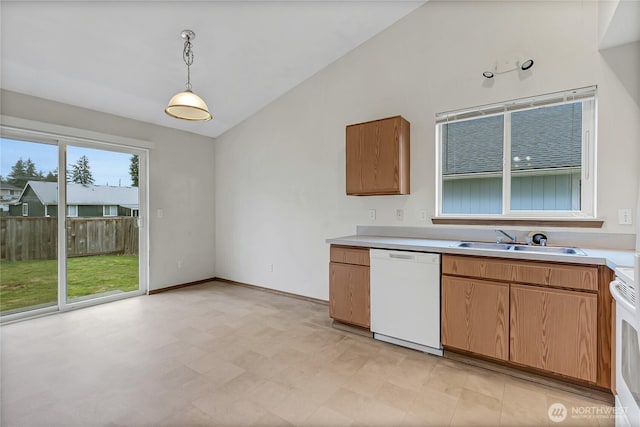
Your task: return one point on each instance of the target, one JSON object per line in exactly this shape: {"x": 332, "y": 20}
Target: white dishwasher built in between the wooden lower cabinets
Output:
{"x": 405, "y": 299}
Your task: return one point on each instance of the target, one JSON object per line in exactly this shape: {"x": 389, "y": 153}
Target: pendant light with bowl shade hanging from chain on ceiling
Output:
{"x": 187, "y": 105}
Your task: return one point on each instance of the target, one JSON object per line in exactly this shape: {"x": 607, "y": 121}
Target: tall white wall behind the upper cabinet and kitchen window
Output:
{"x": 279, "y": 176}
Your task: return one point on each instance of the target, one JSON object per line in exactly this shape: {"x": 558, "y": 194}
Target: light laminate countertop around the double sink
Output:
{"x": 609, "y": 257}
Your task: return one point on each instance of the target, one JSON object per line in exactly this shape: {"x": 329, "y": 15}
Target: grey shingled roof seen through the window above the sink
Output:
{"x": 550, "y": 138}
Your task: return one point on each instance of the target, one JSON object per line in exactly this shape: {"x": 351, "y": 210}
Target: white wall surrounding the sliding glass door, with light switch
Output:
{"x": 180, "y": 182}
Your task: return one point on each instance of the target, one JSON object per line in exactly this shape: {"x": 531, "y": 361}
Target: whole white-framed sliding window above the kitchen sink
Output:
{"x": 524, "y": 158}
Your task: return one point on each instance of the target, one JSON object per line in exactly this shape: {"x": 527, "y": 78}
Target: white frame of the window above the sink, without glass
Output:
{"x": 588, "y": 98}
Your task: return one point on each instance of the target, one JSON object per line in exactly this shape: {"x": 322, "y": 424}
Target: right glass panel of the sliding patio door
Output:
{"x": 101, "y": 223}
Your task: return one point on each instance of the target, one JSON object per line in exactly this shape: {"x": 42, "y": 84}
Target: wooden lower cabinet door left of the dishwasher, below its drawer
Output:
{"x": 349, "y": 294}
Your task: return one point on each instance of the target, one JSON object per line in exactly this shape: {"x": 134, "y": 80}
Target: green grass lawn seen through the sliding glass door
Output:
{"x": 32, "y": 283}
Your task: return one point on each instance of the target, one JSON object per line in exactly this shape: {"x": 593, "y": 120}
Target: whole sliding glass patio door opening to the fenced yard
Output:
{"x": 72, "y": 238}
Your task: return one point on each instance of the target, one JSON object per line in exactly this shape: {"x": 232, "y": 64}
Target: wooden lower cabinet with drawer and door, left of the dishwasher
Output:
{"x": 349, "y": 300}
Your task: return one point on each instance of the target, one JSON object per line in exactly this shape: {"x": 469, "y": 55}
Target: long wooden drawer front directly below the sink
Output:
{"x": 537, "y": 273}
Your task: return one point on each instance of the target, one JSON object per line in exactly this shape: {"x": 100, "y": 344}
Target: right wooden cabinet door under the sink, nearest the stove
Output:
{"x": 554, "y": 330}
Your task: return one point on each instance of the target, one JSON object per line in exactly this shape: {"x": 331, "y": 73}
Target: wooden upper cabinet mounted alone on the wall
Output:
{"x": 377, "y": 155}
